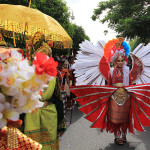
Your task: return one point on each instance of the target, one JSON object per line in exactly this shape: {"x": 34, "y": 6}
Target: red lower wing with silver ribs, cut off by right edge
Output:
{"x": 140, "y": 105}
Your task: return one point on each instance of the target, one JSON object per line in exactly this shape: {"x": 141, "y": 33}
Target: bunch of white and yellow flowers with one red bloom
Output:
{"x": 21, "y": 84}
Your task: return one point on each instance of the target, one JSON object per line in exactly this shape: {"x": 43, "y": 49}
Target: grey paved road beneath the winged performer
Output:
{"x": 79, "y": 136}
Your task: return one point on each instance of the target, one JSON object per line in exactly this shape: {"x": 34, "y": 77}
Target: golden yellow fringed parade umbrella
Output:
{"x": 27, "y": 21}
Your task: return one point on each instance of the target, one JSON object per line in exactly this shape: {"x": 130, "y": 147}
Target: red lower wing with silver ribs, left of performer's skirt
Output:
{"x": 94, "y": 102}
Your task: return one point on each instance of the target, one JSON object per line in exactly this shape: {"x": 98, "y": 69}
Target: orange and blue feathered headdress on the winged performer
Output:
{"x": 116, "y": 48}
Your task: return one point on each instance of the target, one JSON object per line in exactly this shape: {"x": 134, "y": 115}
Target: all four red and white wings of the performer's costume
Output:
{"x": 91, "y": 71}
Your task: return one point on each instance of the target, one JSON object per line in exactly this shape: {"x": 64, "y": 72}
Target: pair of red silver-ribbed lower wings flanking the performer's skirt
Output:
{"x": 95, "y": 102}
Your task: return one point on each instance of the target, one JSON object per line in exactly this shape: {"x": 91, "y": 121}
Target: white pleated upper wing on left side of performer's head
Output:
{"x": 87, "y": 62}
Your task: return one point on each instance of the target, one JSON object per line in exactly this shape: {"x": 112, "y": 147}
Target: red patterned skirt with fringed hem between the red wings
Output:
{"x": 118, "y": 117}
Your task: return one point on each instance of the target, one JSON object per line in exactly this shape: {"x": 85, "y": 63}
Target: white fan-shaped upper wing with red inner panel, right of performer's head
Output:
{"x": 140, "y": 72}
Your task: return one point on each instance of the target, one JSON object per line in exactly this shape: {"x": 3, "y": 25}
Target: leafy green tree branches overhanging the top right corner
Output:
{"x": 129, "y": 18}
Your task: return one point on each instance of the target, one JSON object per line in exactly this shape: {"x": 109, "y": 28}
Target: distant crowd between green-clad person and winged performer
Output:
{"x": 66, "y": 79}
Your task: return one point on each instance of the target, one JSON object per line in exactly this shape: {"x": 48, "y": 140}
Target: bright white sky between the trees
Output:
{"x": 82, "y": 11}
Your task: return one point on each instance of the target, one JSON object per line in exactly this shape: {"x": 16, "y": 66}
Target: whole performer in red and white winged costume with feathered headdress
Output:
{"x": 119, "y": 105}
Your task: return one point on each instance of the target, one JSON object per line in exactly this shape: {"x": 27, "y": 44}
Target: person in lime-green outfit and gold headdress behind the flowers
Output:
{"x": 44, "y": 124}
